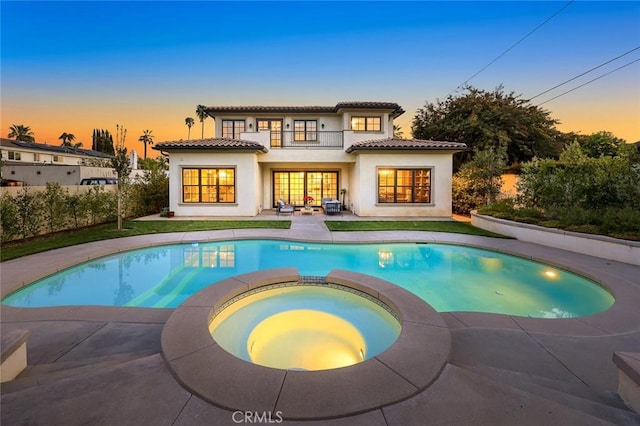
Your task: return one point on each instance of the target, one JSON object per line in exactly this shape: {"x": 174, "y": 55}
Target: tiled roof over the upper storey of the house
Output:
{"x": 312, "y": 109}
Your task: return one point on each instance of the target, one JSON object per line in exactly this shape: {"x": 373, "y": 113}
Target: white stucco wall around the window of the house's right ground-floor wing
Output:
{"x": 365, "y": 196}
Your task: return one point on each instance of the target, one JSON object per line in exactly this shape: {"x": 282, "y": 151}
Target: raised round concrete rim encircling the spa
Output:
{"x": 409, "y": 366}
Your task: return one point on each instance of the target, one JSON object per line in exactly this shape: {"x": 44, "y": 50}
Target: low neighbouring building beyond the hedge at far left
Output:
{"x": 34, "y": 164}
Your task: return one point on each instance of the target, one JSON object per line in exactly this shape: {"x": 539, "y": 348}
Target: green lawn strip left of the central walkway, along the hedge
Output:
{"x": 15, "y": 249}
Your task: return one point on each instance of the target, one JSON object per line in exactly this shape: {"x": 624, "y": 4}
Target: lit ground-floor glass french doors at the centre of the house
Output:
{"x": 294, "y": 186}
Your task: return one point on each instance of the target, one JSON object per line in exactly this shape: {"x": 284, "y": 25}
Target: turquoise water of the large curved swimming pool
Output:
{"x": 448, "y": 277}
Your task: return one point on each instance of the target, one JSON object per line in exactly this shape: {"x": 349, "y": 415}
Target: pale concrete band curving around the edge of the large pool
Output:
{"x": 621, "y": 279}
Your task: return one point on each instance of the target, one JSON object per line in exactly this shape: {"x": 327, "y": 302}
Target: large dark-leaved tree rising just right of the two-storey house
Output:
{"x": 484, "y": 119}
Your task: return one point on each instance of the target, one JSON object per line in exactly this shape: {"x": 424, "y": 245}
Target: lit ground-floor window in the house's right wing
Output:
{"x": 404, "y": 185}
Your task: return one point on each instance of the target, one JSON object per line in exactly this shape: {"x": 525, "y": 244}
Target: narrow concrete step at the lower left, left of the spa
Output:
{"x": 41, "y": 374}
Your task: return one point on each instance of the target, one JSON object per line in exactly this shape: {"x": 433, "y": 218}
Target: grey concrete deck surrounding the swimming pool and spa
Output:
{"x": 104, "y": 365}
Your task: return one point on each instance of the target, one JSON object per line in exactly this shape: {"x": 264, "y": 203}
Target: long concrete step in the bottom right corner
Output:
{"x": 602, "y": 404}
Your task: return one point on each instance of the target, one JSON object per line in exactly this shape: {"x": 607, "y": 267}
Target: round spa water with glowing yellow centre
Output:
{"x": 304, "y": 327}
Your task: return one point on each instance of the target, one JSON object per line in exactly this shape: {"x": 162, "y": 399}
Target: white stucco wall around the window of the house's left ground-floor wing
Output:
{"x": 248, "y": 190}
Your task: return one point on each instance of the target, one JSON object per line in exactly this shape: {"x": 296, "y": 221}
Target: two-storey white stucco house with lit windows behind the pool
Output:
{"x": 261, "y": 154}
